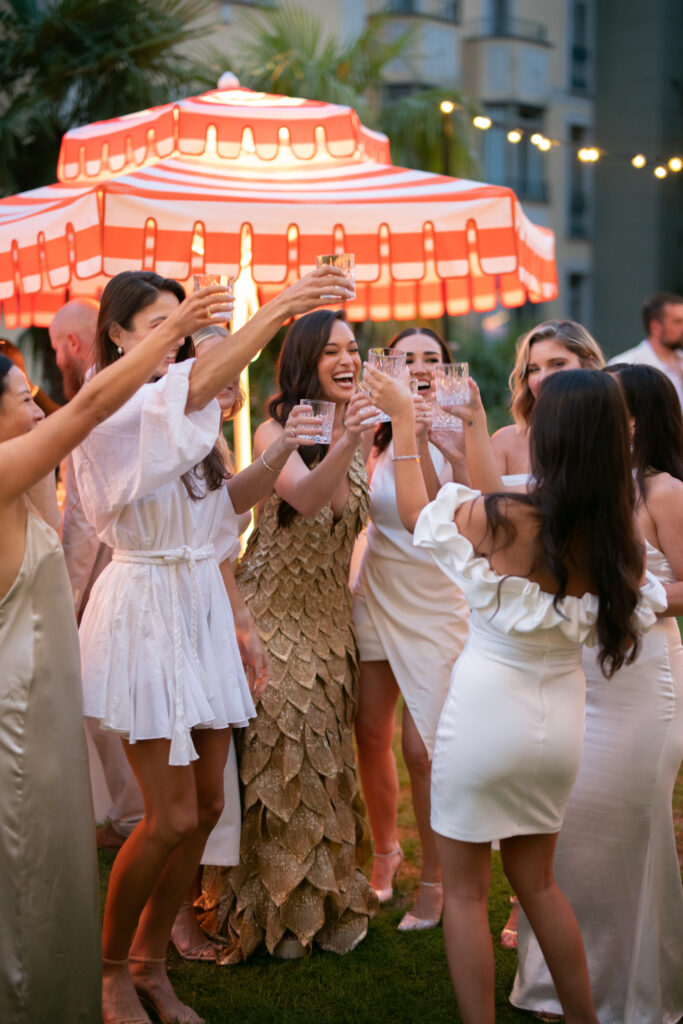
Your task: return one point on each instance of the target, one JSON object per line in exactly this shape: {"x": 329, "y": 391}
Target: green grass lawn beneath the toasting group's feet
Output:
{"x": 391, "y": 978}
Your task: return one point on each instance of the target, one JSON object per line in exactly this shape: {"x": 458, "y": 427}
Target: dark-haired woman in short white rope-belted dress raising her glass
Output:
{"x": 161, "y": 663}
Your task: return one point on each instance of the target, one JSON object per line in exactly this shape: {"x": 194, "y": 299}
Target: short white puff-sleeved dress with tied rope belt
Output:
{"x": 158, "y": 646}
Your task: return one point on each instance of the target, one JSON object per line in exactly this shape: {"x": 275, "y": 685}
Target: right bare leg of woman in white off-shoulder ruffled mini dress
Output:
{"x": 529, "y": 865}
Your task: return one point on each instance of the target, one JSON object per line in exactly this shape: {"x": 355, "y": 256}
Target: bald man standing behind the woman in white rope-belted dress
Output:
{"x": 72, "y": 336}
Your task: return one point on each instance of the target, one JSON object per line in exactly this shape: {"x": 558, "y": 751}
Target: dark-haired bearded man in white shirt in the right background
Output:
{"x": 663, "y": 318}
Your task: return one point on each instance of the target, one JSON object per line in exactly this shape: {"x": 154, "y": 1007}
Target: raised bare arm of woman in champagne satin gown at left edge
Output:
{"x": 26, "y": 459}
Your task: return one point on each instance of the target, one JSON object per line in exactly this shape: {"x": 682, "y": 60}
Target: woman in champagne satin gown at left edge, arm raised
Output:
{"x": 50, "y": 947}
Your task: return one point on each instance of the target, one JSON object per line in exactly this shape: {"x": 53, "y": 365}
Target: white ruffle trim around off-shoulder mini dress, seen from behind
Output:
{"x": 513, "y": 604}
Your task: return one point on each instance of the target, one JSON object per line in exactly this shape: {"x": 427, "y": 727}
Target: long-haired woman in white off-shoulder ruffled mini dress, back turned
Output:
{"x": 538, "y": 573}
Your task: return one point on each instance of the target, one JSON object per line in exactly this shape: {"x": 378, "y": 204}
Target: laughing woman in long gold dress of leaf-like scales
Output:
{"x": 298, "y": 878}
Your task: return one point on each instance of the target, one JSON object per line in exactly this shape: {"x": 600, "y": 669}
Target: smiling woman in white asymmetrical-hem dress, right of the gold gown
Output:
{"x": 412, "y": 625}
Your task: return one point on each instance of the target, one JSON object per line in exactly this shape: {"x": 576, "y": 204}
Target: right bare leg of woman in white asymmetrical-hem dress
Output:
{"x": 431, "y": 895}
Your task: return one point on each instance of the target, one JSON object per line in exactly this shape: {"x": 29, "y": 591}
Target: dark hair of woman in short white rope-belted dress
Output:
{"x": 124, "y": 297}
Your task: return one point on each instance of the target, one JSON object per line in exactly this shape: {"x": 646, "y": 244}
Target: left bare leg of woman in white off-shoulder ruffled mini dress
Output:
{"x": 466, "y": 871}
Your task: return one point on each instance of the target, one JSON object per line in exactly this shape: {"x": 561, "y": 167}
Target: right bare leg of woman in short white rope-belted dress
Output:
{"x": 149, "y": 953}
